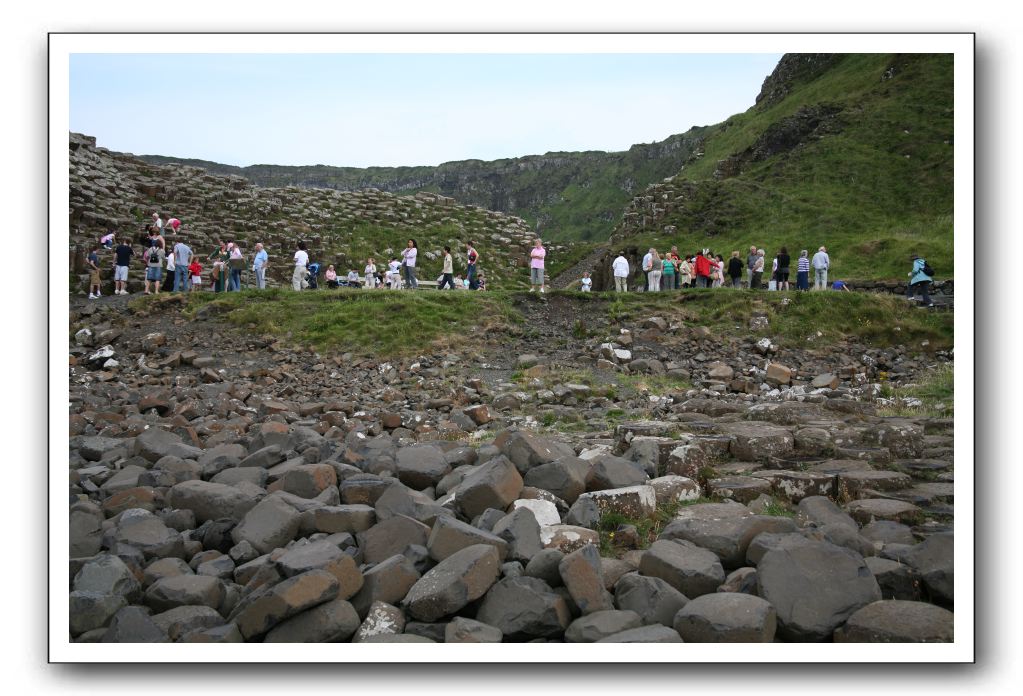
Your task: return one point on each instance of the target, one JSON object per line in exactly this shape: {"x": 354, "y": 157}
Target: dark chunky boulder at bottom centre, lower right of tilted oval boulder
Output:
{"x": 524, "y": 608}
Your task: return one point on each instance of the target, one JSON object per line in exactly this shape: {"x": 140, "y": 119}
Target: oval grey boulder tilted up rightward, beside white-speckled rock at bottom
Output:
{"x": 459, "y": 580}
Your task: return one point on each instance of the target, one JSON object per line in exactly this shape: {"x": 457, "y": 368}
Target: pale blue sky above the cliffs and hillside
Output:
{"x": 393, "y": 110}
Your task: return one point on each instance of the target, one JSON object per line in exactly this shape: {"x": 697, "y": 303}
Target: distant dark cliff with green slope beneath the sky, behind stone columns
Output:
{"x": 565, "y": 196}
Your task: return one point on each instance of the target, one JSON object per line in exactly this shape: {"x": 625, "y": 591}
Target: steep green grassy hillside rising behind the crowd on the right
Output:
{"x": 859, "y": 157}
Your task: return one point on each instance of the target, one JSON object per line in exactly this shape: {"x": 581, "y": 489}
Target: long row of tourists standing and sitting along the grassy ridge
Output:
{"x": 181, "y": 270}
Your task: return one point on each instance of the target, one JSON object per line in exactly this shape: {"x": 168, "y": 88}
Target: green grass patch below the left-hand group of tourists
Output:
{"x": 381, "y": 324}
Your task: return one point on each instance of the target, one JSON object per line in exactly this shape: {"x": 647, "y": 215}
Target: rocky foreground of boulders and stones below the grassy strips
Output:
{"x": 576, "y": 482}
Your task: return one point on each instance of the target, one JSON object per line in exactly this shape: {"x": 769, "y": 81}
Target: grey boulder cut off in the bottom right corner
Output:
{"x": 899, "y": 622}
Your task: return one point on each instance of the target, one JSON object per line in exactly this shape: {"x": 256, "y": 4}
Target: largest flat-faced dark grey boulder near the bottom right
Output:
{"x": 815, "y": 588}
